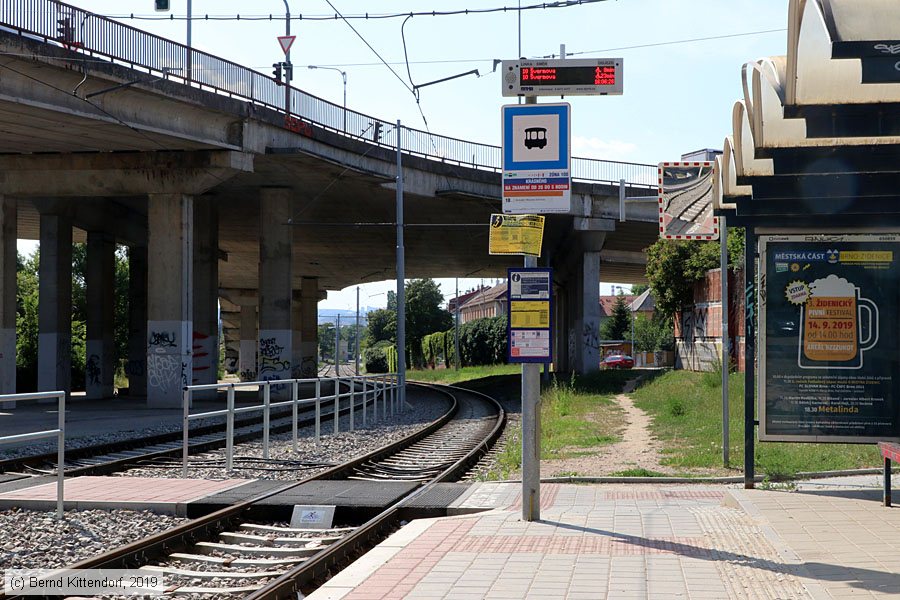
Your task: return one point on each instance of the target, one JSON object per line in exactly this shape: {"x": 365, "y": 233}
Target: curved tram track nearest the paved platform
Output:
{"x": 232, "y": 554}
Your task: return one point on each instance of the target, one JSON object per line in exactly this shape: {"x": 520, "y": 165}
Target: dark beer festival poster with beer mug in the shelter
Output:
{"x": 830, "y": 351}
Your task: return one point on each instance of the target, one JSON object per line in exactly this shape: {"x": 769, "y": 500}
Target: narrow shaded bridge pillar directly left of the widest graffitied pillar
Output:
{"x": 136, "y": 367}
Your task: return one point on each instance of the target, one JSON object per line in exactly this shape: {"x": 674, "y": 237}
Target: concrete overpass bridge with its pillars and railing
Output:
{"x": 115, "y": 136}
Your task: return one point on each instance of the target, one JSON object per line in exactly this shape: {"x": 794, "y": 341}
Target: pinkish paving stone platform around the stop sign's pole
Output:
{"x": 597, "y": 542}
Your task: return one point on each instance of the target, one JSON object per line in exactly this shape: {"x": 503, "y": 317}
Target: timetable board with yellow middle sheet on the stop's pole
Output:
{"x": 529, "y": 298}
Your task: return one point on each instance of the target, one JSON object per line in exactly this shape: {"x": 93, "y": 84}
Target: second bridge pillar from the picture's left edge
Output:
{"x": 55, "y": 304}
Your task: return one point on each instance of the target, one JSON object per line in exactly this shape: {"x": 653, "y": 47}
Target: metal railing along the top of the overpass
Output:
{"x": 97, "y": 36}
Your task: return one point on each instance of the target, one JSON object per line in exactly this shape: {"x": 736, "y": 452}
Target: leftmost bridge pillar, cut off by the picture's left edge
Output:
{"x": 8, "y": 215}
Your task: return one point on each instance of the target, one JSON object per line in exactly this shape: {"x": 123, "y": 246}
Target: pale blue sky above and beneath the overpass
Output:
{"x": 677, "y": 96}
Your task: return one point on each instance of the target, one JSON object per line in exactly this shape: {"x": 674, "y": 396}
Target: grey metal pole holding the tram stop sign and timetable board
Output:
{"x": 531, "y": 424}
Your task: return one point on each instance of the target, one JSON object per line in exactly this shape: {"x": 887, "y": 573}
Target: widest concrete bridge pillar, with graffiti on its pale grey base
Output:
{"x": 170, "y": 298}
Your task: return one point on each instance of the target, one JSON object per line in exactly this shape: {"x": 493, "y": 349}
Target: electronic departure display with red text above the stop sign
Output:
{"x": 577, "y": 77}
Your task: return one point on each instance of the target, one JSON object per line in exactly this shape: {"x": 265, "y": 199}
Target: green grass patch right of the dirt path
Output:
{"x": 687, "y": 414}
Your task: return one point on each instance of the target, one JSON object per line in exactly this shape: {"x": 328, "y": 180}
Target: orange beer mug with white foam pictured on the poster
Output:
{"x": 832, "y": 324}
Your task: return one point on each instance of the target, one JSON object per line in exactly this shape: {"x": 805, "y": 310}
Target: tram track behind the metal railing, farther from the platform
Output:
{"x": 112, "y": 457}
